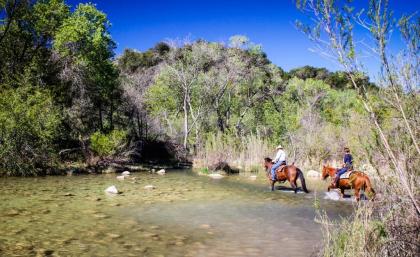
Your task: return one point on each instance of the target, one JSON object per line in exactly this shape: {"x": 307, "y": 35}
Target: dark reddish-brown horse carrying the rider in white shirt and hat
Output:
{"x": 289, "y": 172}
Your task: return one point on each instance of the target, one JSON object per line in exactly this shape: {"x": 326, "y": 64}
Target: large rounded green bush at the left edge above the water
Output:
{"x": 28, "y": 126}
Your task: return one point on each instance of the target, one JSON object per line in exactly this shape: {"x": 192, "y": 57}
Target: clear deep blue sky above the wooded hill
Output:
{"x": 140, "y": 24}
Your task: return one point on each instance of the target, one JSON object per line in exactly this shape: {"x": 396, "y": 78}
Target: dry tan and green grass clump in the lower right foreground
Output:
{"x": 389, "y": 226}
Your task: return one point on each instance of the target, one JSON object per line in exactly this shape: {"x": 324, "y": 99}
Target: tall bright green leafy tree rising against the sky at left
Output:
{"x": 85, "y": 44}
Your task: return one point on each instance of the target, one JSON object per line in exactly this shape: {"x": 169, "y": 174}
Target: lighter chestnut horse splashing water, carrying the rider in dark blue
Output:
{"x": 357, "y": 181}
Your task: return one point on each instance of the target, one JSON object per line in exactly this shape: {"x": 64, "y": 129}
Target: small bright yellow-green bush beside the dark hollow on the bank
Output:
{"x": 107, "y": 144}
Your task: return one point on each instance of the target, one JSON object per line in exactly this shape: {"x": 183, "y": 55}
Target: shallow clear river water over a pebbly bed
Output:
{"x": 185, "y": 215}
